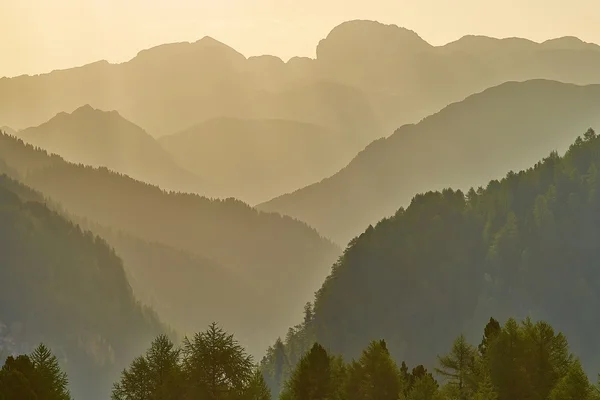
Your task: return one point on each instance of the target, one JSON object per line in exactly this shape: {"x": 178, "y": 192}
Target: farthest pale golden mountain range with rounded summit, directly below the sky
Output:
{"x": 367, "y": 79}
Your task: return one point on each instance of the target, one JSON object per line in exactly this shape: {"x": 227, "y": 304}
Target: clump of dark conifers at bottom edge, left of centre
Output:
{"x": 211, "y": 365}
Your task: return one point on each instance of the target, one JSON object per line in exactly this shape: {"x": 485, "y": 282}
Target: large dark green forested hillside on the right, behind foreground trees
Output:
{"x": 522, "y": 246}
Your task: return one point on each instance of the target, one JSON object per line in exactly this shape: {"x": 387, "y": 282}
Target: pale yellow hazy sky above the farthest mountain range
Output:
{"x": 41, "y": 35}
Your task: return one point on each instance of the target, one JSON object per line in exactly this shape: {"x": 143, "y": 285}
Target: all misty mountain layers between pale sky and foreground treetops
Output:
{"x": 193, "y": 185}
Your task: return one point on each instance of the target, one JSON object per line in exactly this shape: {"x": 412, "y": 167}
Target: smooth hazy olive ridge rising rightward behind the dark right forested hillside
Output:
{"x": 466, "y": 144}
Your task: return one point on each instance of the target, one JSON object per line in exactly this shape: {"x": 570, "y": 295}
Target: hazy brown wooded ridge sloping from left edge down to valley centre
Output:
{"x": 270, "y": 254}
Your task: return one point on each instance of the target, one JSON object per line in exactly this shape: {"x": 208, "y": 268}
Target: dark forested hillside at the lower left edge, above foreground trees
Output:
{"x": 66, "y": 287}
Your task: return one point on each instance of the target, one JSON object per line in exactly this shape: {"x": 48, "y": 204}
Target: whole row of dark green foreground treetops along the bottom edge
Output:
{"x": 517, "y": 360}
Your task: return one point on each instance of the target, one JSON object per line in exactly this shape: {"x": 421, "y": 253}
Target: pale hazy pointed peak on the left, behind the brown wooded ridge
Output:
{"x": 99, "y": 138}
